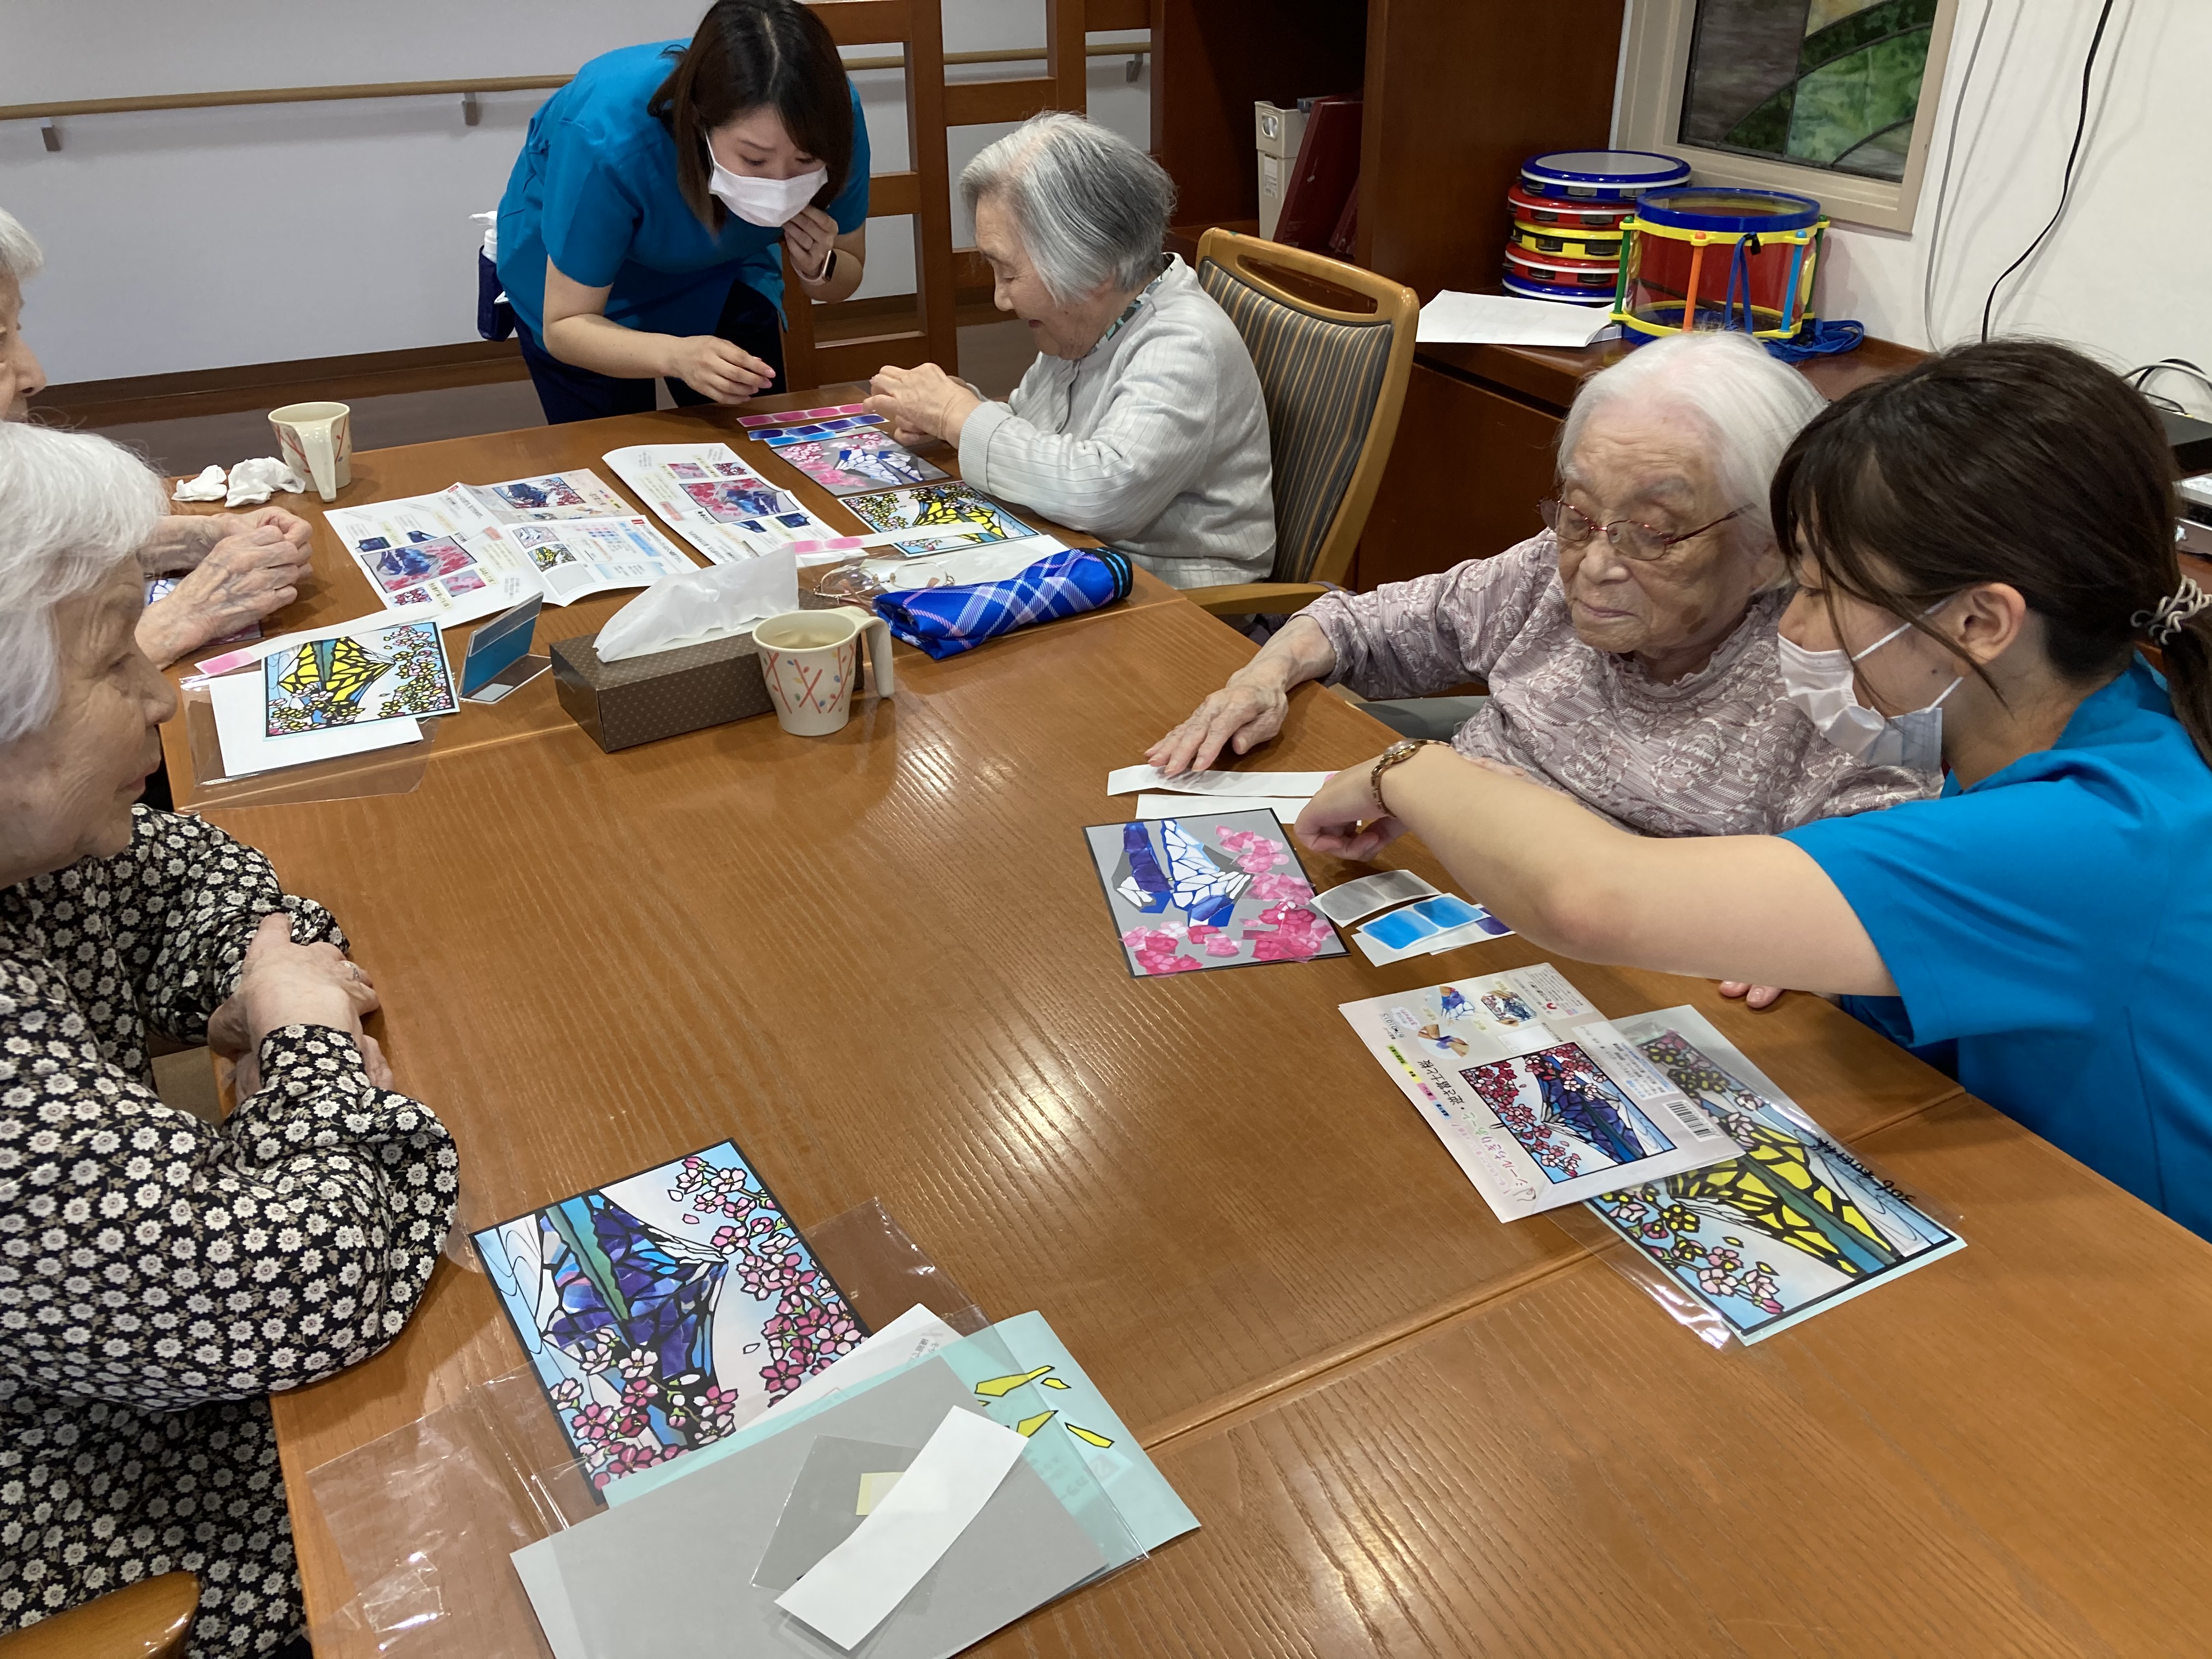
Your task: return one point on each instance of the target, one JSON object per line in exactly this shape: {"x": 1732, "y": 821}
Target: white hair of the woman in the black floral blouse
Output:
{"x": 72, "y": 510}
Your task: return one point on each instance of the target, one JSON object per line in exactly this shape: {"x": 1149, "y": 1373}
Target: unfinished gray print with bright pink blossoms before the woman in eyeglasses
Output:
{"x": 1209, "y": 890}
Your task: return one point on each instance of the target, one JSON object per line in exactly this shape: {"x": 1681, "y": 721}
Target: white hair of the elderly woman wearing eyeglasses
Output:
{"x": 1749, "y": 404}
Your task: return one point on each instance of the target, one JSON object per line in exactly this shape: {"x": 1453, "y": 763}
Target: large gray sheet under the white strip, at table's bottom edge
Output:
{"x": 674, "y": 1572}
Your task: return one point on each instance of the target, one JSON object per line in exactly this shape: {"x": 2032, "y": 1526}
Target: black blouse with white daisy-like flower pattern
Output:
{"x": 163, "y": 1275}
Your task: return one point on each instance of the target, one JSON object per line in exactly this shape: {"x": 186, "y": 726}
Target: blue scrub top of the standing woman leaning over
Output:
{"x": 596, "y": 189}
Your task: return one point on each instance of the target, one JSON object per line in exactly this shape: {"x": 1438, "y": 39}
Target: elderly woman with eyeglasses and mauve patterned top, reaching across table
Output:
{"x": 1629, "y": 649}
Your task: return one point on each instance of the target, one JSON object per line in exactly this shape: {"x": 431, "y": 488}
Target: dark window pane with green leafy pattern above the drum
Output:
{"x": 1817, "y": 83}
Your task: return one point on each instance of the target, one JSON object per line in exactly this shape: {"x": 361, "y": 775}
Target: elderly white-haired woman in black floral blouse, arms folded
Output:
{"x": 163, "y": 1275}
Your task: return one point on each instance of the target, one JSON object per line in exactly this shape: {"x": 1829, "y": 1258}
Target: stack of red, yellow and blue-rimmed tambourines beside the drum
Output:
{"x": 1565, "y": 242}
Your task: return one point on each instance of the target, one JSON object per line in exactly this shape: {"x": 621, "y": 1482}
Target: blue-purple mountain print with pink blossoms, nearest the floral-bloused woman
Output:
{"x": 667, "y": 1311}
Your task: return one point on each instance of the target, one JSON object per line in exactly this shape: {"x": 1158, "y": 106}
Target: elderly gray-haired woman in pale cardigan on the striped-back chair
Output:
{"x": 1142, "y": 417}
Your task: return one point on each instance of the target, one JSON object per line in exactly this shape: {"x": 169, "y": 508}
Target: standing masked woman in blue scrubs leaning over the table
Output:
{"x": 647, "y": 218}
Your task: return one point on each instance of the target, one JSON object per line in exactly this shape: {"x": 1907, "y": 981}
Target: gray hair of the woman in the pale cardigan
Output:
{"x": 1089, "y": 205}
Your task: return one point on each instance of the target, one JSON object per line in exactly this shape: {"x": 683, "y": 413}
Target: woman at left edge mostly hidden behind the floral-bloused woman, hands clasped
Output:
{"x": 233, "y": 567}
